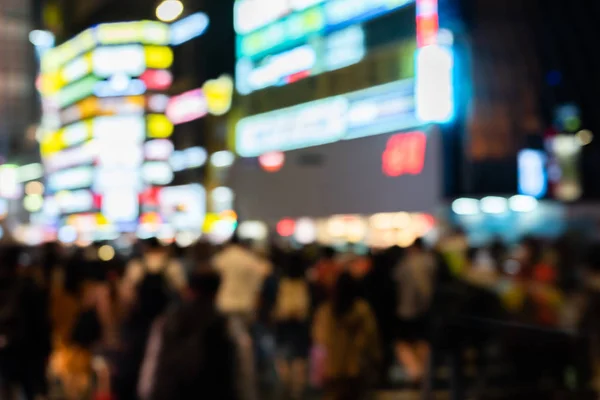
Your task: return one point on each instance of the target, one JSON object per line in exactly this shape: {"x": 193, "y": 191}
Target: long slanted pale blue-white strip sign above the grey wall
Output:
{"x": 373, "y": 111}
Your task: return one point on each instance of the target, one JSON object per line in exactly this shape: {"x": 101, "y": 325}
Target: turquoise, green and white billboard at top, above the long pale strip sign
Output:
{"x": 283, "y": 41}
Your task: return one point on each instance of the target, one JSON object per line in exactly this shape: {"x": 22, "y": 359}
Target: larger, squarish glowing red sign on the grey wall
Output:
{"x": 405, "y": 154}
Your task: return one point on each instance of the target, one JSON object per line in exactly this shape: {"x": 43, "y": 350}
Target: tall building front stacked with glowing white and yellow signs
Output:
{"x": 103, "y": 94}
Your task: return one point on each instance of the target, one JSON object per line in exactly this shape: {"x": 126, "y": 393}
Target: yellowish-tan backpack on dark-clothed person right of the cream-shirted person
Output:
{"x": 293, "y": 300}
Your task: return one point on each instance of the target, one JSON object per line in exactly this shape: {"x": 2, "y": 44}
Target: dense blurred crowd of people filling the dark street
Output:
{"x": 238, "y": 322}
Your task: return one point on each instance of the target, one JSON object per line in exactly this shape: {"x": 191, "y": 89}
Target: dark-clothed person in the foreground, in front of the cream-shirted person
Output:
{"x": 192, "y": 352}
